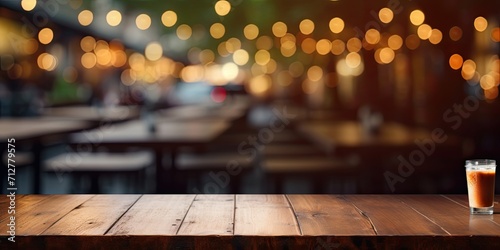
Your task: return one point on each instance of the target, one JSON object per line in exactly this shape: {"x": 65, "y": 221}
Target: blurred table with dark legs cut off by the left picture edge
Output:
{"x": 33, "y": 131}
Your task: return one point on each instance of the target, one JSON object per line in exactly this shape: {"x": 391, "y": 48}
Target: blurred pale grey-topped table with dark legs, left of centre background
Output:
{"x": 168, "y": 135}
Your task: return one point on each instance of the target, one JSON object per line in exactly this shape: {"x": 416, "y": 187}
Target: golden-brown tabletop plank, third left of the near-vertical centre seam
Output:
{"x": 94, "y": 217}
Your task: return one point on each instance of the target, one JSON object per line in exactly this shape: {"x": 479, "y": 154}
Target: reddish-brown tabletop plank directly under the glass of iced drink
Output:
{"x": 451, "y": 216}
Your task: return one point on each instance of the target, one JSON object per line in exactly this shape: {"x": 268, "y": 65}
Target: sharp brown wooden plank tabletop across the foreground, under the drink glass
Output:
{"x": 251, "y": 221}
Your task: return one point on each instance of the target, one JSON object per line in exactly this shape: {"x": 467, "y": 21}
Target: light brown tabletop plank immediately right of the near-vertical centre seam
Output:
{"x": 264, "y": 215}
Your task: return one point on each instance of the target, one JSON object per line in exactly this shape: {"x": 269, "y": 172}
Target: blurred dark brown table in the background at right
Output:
{"x": 375, "y": 148}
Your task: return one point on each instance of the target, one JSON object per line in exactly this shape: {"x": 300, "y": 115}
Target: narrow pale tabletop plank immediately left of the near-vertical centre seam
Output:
{"x": 209, "y": 215}
